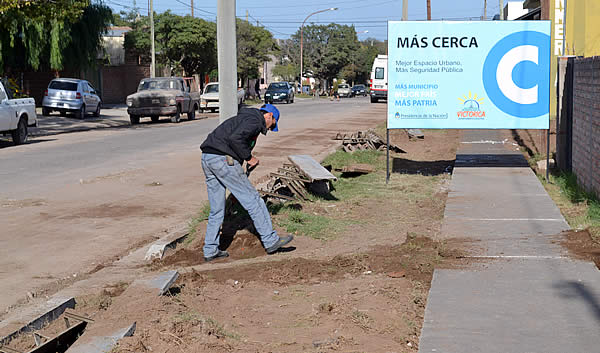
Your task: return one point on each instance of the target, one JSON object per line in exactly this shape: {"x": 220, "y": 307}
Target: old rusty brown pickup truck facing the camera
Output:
{"x": 164, "y": 96}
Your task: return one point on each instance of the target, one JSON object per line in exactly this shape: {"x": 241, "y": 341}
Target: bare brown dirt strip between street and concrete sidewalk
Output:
{"x": 362, "y": 290}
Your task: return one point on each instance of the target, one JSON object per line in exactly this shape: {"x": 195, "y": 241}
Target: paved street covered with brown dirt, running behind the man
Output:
{"x": 70, "y": 202}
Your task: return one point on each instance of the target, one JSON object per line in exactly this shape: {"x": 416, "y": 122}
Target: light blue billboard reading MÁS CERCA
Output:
{"x": 469, "y": 75}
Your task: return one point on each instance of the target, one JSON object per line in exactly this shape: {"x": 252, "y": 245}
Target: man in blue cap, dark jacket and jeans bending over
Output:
{"x": 223, "y": 153}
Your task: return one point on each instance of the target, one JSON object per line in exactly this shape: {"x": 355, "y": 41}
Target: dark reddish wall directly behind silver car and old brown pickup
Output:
{"x": 120, "y": 81}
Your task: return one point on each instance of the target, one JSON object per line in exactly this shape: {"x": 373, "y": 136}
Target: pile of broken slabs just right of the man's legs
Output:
{"x": 295, "y": 180}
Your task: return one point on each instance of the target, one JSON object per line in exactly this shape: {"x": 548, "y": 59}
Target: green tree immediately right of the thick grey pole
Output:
{"x": 254, "y": 44}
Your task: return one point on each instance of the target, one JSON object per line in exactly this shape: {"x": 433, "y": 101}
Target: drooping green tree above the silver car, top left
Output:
{"x": 50, "y": 34}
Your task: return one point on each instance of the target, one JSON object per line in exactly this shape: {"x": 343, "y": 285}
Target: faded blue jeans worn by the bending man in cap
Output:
{"x": 219, "y": 176}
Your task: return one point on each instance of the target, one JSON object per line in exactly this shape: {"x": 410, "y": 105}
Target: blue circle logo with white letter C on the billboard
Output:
{"x": 516, "y": 74}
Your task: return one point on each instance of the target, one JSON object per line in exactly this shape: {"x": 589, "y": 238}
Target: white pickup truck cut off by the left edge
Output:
{"x": 16, "y": 115}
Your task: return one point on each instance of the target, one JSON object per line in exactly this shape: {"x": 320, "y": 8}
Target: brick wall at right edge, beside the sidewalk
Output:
{"x": 586, "y": 123}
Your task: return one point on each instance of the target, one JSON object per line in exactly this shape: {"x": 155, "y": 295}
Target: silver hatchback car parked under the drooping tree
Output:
{"x": 71, "y": 95}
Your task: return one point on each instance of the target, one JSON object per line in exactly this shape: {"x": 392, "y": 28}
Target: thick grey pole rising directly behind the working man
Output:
{"x": 227, "y": 59}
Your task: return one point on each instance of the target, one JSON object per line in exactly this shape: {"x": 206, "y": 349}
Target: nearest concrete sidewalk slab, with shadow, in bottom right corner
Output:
{"x": 521, "y": 305}
